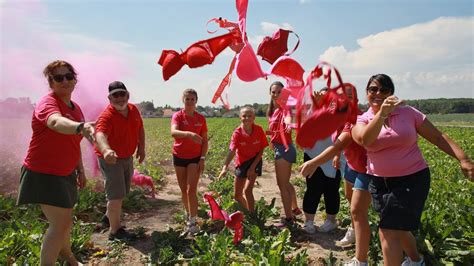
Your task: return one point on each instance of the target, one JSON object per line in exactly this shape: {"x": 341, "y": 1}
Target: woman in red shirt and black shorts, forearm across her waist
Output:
{"x": 189, "y": 130}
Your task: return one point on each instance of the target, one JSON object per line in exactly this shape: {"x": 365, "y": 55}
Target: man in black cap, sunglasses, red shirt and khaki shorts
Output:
{"x": 119, "y": 133}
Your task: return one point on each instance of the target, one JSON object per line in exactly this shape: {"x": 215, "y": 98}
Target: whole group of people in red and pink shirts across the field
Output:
{"x": 386, "y": 133}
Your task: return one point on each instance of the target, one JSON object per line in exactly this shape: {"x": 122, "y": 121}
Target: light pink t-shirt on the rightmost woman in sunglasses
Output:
{"x": 395, "y": 152}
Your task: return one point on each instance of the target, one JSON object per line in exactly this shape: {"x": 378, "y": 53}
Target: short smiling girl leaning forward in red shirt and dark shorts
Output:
{"x": 248, "y": 142}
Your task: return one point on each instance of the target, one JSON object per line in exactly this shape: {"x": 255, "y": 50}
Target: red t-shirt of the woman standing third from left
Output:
{"x": 185, "y": 148}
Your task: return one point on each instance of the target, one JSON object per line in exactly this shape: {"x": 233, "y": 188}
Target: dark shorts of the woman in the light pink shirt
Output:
{"x": 400, "y": 200}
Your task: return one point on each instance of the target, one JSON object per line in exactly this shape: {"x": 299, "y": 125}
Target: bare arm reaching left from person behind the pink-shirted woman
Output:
{"x": 308, "y": 168}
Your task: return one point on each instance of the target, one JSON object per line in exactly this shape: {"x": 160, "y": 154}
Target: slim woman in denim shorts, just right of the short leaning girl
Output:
{"x": 284, "y": 157}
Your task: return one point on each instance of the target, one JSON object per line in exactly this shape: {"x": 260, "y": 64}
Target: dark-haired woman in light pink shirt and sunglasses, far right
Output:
{"x": 400, "y": 178}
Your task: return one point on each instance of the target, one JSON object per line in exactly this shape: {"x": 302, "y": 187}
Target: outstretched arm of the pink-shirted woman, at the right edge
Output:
{"x": 428, "y": 131}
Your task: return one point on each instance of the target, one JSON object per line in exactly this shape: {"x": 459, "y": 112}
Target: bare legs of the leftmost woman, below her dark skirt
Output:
{"x": 60, "y": 222}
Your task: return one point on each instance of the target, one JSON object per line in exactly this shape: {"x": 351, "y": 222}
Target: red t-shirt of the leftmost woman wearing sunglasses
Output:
{"x": 51, "y": 152}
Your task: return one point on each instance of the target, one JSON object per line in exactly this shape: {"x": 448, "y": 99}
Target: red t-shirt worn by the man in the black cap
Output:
{"x": 122, "y": 132}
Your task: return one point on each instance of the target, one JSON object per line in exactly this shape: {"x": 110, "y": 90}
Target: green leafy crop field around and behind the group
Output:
{"x": 446, "y": 235}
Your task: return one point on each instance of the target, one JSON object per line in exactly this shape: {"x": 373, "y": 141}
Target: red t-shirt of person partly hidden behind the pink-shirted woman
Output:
{"x": 355, "y": 154}
